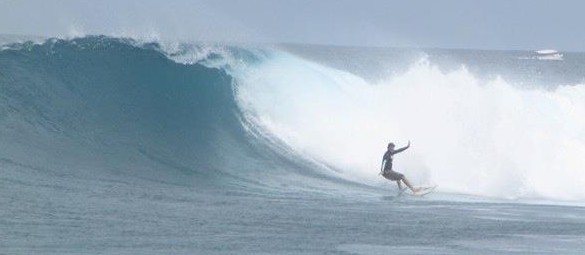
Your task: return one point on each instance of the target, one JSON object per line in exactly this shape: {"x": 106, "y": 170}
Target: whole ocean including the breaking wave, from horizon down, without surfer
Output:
{"x": 123, "y": 146}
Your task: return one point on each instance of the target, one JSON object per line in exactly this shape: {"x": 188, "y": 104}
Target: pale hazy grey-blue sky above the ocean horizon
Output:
{"x": 495, "y": 24}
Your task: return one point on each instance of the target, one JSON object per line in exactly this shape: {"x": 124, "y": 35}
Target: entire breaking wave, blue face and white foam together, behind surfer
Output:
{"x": 243, "y": 116}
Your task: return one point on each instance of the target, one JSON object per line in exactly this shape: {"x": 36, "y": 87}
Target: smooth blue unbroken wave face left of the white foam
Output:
{"x": 99, "y": 106}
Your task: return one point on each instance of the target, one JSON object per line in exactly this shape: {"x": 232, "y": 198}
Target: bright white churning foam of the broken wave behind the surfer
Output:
{"x": 475, "y": 137}
